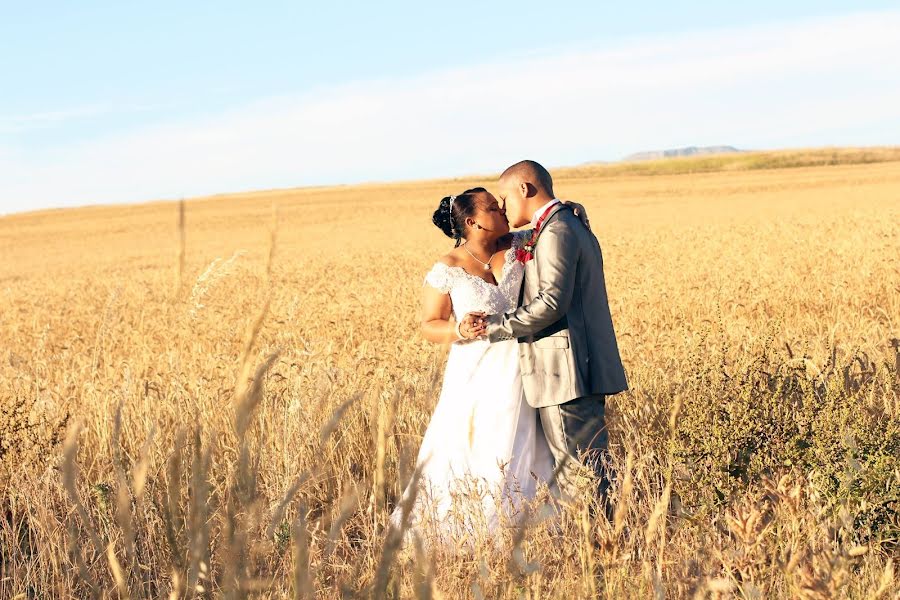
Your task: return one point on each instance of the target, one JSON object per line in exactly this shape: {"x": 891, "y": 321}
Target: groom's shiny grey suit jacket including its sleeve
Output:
{"x": 567, "y": 345}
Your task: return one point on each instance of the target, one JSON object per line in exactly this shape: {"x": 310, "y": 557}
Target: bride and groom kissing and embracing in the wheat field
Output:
{"x": 533, "y": 357}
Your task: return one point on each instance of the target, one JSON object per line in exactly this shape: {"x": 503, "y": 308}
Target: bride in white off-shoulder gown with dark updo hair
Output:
{"x": 483, "y": 452}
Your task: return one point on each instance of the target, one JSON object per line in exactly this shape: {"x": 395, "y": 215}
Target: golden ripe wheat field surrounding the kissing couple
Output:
{"x": 224, "y": 397}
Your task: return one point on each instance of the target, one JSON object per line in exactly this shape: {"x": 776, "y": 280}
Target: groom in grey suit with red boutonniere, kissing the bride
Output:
{"x": 567, "y": 346}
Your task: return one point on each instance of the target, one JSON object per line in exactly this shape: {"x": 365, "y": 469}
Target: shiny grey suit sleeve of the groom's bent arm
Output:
{"x": 556, "y": 256}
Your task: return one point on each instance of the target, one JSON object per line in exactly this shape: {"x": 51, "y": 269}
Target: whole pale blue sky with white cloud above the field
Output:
{"x": 114, "y": 102}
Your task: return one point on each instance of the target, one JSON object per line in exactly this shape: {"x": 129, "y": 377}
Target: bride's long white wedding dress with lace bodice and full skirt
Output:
{"x": 483, "y": 451}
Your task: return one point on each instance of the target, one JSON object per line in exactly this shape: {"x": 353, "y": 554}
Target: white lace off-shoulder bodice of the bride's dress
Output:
{"x": 470, "y": 293}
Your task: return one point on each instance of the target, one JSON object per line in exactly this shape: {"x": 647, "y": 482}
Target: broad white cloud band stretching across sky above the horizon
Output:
{"x": 802, "y": 83}
